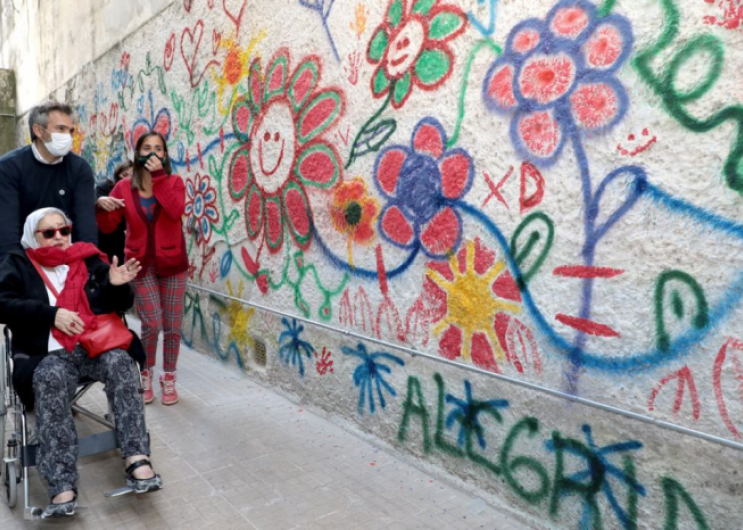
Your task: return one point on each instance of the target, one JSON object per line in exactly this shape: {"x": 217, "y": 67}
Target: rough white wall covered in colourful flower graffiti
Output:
{"x": 551, "y": 193}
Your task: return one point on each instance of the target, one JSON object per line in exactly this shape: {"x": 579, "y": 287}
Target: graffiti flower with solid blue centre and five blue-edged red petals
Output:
{"x": 422, "y": 183}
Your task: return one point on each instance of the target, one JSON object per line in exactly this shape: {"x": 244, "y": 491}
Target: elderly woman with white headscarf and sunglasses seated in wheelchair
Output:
{"x": 53, "y": 296}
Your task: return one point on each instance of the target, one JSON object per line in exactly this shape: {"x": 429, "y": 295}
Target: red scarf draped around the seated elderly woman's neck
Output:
{"x": 72, "y": 297}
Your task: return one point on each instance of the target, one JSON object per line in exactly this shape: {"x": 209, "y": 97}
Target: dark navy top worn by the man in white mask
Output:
{"x": 27, "y": 185}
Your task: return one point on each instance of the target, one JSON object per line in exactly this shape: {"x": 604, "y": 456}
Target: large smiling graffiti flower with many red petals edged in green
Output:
{"x": 281, "y": 122}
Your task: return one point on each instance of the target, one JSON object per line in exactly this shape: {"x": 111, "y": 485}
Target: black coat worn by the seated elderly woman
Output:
{"x": 24, "y": 307}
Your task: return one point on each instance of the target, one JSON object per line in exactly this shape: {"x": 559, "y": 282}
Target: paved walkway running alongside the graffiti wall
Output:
{"x": 236, "y": 455}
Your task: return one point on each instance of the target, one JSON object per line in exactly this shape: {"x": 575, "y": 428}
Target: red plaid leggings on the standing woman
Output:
{"x": 159, "y": 303}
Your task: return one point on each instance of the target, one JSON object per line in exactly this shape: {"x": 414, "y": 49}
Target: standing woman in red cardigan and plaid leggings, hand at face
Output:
{"x": 152, "y": 202}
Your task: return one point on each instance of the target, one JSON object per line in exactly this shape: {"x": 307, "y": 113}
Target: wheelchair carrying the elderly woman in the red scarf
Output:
{"x": 21, "y": 444}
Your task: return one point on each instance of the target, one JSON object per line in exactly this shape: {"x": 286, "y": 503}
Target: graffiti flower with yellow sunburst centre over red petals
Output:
{"x": 467, "y": 296}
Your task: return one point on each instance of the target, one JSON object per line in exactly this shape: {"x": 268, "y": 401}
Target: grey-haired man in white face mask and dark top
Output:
{"x": 46, "y": 174}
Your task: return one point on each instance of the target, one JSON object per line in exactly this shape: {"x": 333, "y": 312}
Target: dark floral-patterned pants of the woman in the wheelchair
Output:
{"x": 55, "y": 381}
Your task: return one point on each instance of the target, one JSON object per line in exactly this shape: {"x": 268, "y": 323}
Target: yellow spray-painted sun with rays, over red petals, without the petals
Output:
{"x": 471, "y": 305}
